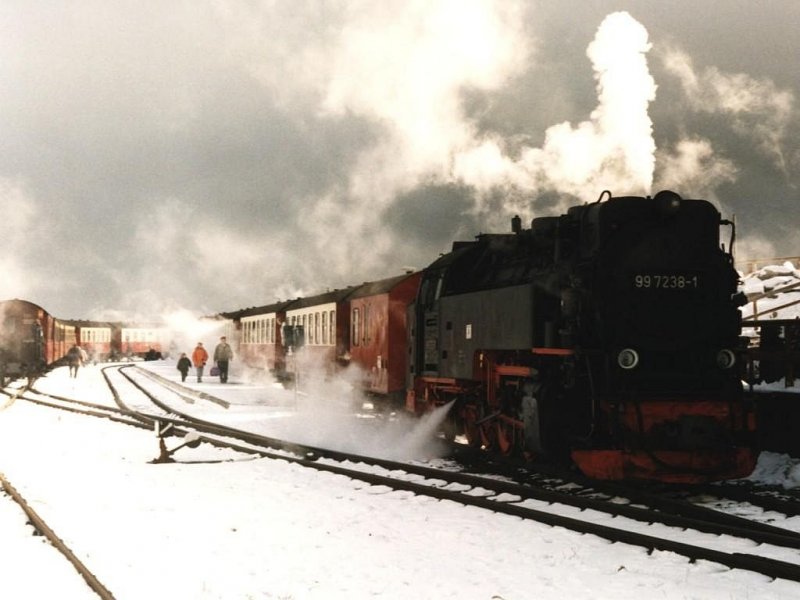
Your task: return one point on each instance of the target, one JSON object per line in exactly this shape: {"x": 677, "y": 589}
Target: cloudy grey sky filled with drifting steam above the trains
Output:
{"x": 217, "y": 155}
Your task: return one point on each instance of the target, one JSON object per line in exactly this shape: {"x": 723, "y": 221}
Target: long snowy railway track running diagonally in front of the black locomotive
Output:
{"x": 710, "y": 535}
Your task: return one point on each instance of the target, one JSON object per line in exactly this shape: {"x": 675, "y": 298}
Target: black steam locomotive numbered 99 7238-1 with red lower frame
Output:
{"x": 609, "y": 336}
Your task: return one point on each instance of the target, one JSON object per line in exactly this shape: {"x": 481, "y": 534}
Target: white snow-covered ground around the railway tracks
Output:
{"x": 219, "y": 524}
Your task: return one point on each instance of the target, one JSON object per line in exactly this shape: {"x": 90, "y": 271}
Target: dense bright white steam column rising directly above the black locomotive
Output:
{"x": 613, "y": 149}
